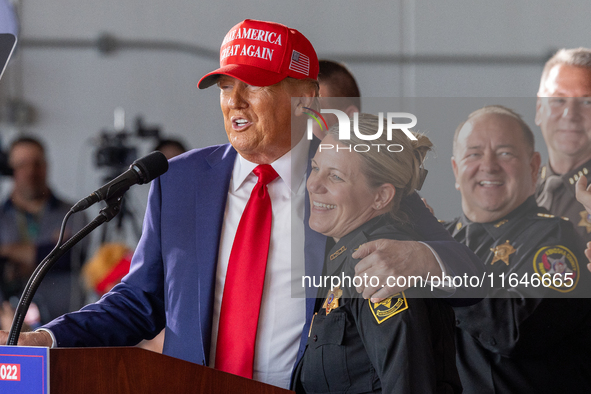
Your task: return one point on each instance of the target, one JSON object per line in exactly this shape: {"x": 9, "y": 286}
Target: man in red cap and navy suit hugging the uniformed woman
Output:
{"x": 179, "y": 269}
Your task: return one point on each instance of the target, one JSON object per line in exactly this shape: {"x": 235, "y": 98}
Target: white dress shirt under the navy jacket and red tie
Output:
{"x": 282, "y": 315}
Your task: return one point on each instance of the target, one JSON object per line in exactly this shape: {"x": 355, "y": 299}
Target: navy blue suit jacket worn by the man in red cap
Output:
{"x": 172, "y": 278}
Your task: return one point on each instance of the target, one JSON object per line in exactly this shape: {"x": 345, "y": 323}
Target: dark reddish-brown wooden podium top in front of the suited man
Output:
{"x": 122, "y": 370}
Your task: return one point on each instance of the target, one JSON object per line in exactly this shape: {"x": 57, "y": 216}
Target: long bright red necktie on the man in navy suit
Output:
{"x": 245, "y": 278}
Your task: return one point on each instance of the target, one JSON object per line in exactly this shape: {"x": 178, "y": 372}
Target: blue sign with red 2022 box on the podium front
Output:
{"x": 24, "y": 369}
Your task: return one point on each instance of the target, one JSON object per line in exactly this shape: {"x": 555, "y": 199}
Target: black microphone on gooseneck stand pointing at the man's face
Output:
{"x": 141, "y": 171}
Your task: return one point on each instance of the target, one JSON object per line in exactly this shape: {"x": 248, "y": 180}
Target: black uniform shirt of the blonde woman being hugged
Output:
{"x": 399, "y": 345}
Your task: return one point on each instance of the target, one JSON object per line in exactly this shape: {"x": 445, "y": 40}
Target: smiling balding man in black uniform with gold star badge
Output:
{"x": 507, "y": 342}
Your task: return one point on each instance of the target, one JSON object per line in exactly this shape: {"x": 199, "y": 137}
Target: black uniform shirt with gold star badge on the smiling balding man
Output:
{"x": 524, "y": 344}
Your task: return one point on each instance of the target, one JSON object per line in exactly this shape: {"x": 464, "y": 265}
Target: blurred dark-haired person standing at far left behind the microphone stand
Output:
{"x": 30, "y": 221}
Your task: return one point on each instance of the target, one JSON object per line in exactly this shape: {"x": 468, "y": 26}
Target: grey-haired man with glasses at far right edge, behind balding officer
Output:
{"x": 563, "y": 112}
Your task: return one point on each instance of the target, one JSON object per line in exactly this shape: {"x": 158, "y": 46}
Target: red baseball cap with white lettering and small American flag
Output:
{"x": 263, "y": 53}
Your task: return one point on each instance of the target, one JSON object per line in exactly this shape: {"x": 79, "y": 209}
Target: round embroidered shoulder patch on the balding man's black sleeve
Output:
{"x": 558, "y": 260}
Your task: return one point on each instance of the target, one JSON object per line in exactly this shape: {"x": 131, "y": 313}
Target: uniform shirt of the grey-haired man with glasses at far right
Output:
{"x": 556, "y": 193}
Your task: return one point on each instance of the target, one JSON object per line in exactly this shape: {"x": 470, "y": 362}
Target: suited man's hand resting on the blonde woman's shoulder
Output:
{"x": 387, "y": 258}
